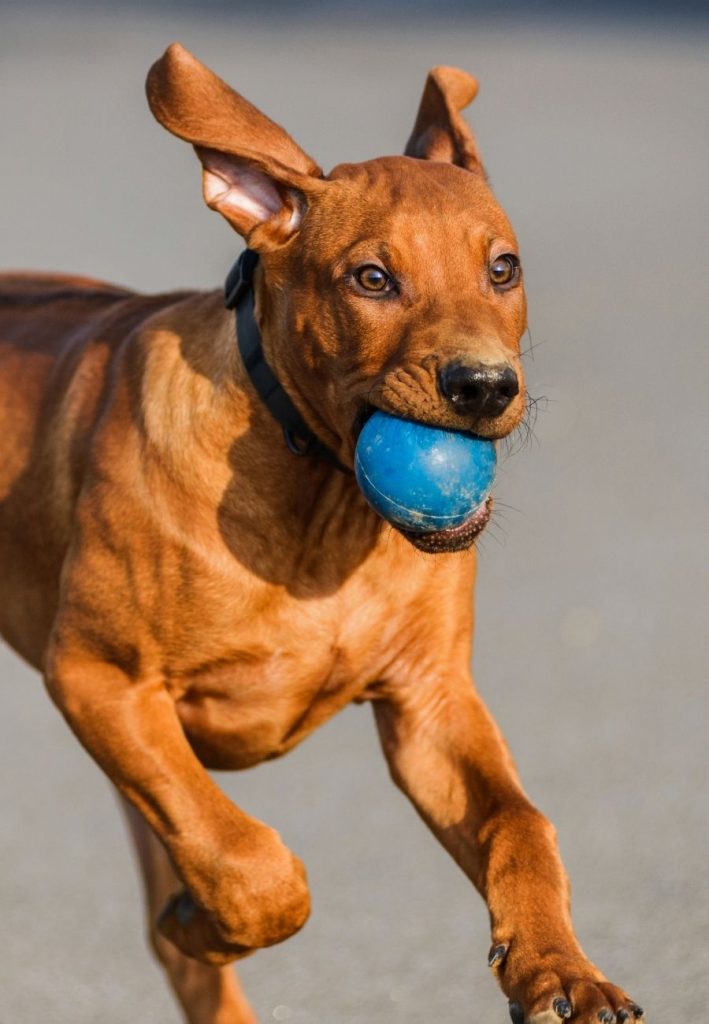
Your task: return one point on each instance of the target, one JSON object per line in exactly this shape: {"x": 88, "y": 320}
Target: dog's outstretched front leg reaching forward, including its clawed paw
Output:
{"x": 447, "y": 754}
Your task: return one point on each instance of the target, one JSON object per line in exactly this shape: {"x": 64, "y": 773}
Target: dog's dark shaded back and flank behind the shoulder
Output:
{"x": 60, "y": 336}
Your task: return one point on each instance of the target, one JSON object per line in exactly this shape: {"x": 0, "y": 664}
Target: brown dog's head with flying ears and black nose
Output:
{"x": 392, "y": 284}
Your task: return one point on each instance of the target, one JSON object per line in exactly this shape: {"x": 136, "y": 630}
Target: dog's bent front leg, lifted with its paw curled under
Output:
{"x": 244, "y": 888}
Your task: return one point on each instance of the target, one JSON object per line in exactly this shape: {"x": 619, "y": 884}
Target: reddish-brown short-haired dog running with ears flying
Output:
{"x": 197, "y": 595}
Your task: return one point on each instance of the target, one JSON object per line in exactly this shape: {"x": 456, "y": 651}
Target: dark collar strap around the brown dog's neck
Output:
{"x": 239, "y": 296}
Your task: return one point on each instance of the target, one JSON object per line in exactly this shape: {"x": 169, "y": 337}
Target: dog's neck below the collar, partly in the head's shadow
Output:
{"x": 249, "y": 485}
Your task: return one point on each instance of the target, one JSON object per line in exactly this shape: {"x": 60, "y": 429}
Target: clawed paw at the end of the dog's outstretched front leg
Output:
{"x": 562, "y": 991}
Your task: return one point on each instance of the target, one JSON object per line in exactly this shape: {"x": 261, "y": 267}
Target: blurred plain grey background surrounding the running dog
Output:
{"x": 594, "y": 594}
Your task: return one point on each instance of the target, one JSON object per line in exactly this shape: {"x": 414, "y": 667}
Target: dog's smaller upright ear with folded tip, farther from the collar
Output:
{"x": 440, "y": 133}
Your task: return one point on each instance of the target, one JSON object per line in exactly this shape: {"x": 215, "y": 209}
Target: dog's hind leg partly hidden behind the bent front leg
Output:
{"x": 208, "y": 995}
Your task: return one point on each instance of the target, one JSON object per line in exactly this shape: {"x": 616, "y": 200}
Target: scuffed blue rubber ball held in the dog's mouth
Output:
{"x": 421, "y": 478}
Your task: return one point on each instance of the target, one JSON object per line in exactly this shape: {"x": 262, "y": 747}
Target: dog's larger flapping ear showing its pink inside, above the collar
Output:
{"x": 254, "y": 174}
